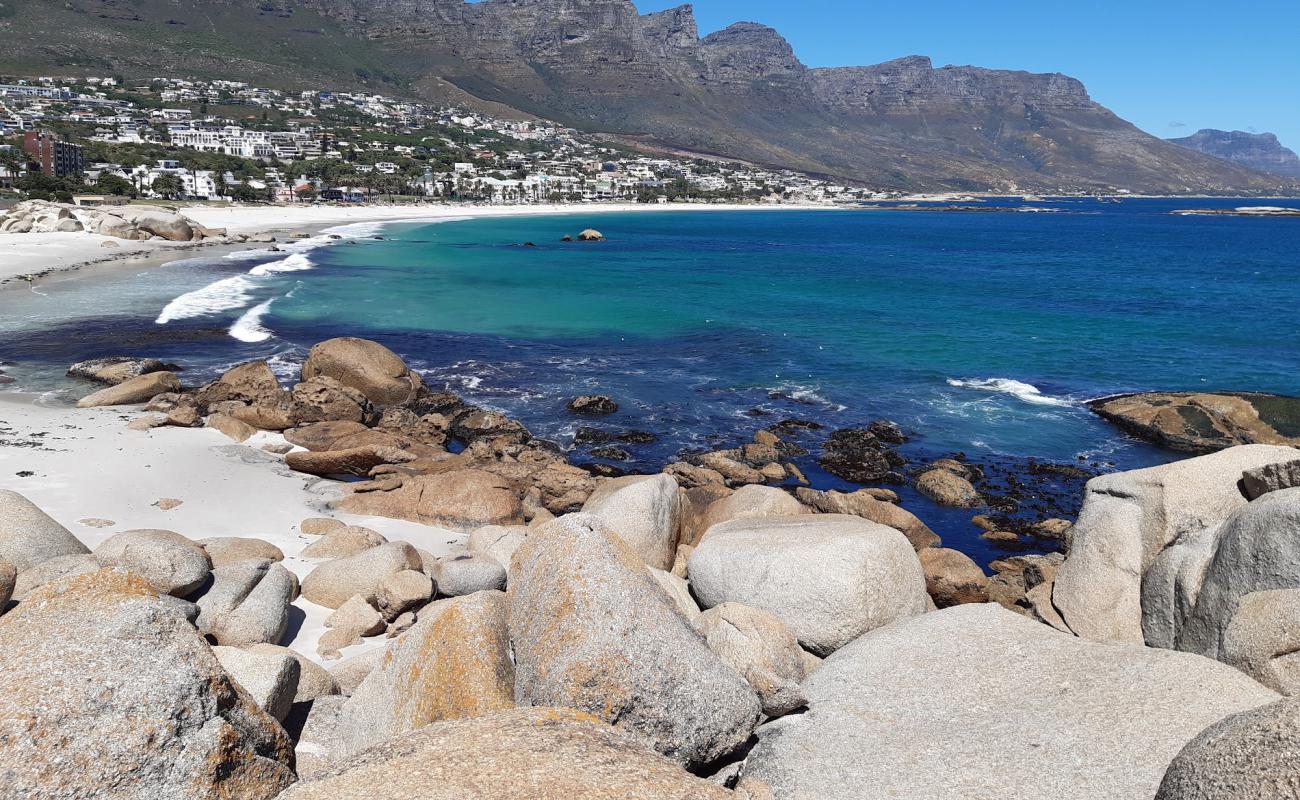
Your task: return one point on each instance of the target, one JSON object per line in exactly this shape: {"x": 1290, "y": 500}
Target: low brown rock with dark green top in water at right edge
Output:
{"x": 1198, "y": 422}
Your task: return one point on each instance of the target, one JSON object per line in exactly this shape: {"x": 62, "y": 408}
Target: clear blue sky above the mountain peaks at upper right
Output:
{"x": 1171, "y": 67}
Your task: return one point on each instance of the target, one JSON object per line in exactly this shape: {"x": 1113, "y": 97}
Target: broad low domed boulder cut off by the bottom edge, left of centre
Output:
{"x": 515, "y": 755}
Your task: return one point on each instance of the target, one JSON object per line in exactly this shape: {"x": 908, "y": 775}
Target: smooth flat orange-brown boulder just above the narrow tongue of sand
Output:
{"x": 463, "y": 500}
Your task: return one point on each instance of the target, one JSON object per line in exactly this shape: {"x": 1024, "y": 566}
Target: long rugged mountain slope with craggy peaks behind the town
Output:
{"x": 603, "y": 67}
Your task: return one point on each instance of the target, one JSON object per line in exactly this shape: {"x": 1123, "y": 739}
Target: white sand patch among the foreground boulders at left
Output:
{"x": 85, "y": 465}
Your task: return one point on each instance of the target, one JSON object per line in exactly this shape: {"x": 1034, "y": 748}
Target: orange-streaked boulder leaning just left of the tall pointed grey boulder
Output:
{"x": 453, "y": 664}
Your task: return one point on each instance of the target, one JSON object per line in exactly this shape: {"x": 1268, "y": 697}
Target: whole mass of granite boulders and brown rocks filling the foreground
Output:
{"x": 534, "y": 628}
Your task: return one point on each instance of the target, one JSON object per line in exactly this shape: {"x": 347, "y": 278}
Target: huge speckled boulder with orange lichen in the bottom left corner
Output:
{"x": 109, "y": 693}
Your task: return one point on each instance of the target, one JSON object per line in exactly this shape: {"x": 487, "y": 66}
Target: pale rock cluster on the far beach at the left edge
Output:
{"x": 140, "y": 223}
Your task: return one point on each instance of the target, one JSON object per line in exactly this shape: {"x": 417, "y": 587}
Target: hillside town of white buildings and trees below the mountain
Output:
{"x": 109, "y": 140}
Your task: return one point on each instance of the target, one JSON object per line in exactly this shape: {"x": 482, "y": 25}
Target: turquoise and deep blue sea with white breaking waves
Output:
{"x": 980, "y": 334}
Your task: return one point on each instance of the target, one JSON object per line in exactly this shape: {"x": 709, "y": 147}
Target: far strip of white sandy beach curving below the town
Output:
{"x": 63, "y": 256}
